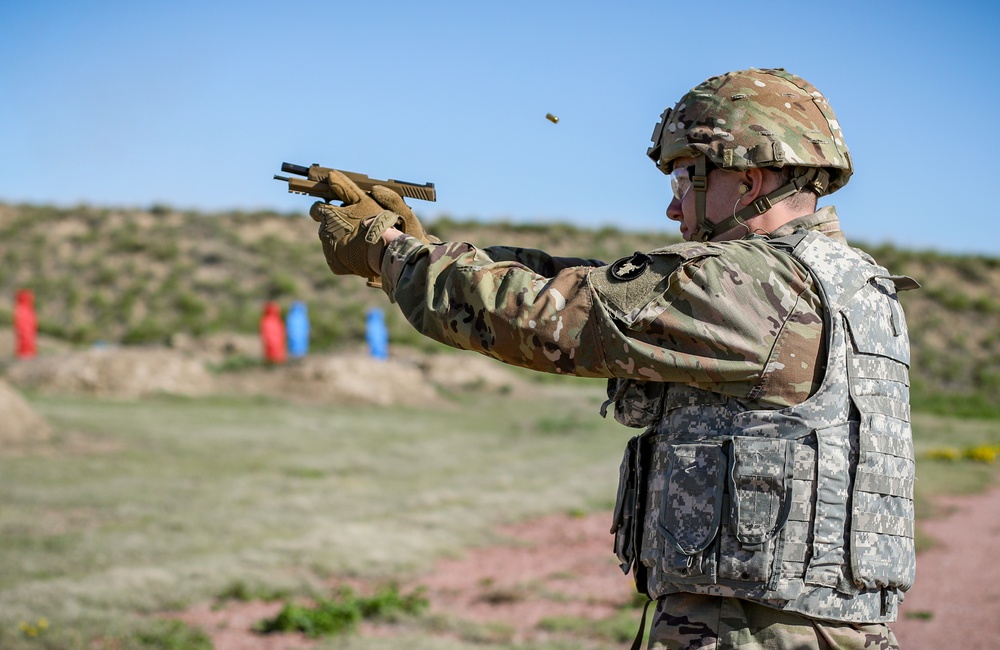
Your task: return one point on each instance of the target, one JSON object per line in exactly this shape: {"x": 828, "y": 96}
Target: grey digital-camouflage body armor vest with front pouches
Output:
{"x": 807, "y": 508}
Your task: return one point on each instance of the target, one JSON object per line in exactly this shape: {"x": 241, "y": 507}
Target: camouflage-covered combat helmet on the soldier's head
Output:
{"x": 755, "y": 118}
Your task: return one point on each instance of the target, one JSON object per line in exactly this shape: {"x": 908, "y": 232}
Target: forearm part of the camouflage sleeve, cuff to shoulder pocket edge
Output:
{"x": 495, "y": 302}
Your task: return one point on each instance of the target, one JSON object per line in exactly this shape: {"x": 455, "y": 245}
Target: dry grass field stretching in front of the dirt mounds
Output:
{"x": 132, "y": 514}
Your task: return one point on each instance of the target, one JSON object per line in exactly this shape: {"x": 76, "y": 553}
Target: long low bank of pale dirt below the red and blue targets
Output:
{"x": 186, "y": 368}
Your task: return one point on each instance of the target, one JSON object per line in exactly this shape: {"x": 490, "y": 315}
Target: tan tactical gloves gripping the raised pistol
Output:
{"x": 352, "y": 233}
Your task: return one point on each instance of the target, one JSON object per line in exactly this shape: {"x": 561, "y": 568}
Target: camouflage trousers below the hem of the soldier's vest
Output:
{"x": 689, "y": 622}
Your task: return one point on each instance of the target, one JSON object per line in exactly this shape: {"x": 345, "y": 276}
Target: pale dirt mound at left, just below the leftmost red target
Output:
{"x": 115, "y": 372}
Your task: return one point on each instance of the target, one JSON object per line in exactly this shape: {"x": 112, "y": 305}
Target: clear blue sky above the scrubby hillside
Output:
{"x": 195, "y": 104}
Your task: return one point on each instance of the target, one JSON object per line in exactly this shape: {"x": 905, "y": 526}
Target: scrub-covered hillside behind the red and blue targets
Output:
{"x": 137, "y": 276}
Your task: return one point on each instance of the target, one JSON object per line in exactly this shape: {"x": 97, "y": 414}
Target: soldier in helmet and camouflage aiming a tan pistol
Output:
{"x": 768, "y": 501}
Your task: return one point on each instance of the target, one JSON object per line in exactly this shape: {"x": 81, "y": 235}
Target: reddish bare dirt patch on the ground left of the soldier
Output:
{"x": 552, "y": 566}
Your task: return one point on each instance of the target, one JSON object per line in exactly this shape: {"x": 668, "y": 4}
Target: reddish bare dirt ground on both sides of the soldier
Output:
{"x": 561, "y": 565}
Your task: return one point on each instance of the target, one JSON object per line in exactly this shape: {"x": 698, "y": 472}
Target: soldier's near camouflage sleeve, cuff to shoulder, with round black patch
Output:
{"x": 718, "y": 316}
